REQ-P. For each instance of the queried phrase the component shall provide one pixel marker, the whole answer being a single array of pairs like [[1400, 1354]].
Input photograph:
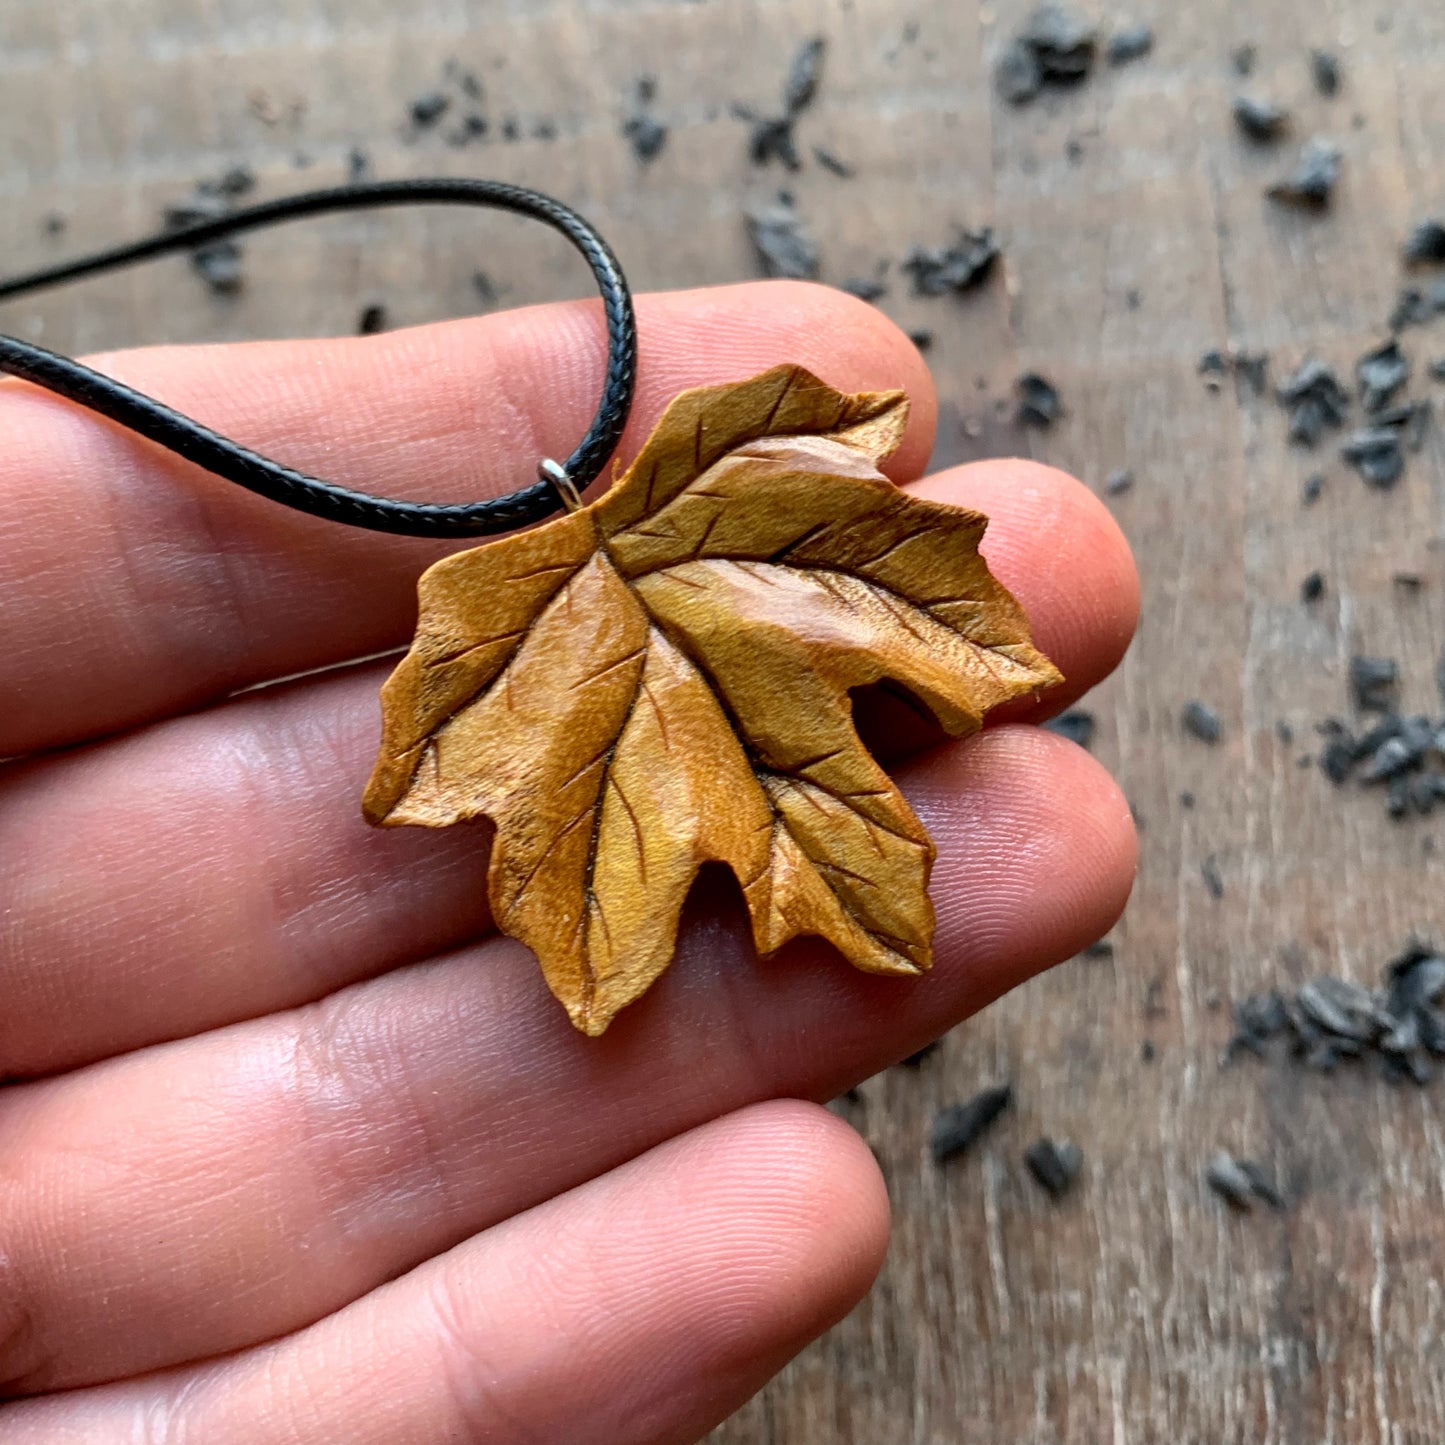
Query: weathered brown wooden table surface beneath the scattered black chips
[[1136, 238]]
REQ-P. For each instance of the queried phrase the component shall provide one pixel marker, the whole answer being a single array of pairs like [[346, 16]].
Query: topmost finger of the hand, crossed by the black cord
[[135, 586]]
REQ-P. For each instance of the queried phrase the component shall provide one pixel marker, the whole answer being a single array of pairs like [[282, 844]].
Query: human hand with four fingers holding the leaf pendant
[[297, 1151]]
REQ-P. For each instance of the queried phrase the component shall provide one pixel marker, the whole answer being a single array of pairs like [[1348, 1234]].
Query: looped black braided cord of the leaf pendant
[[296, 489]]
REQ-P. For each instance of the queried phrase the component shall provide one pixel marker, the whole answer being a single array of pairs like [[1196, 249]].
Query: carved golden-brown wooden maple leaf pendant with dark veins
[[663, 678]]
